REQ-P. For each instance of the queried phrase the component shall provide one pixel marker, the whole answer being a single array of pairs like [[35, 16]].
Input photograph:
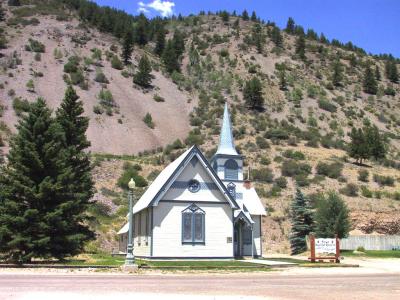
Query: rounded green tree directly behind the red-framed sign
[[332, 217]]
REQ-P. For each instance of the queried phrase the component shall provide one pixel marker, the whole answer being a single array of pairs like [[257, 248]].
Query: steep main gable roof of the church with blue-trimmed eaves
[[161, 184]]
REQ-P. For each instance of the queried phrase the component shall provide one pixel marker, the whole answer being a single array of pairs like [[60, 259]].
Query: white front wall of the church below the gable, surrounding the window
[[167, 231]]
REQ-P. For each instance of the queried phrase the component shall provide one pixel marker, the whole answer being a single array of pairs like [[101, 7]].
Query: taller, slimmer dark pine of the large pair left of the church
[[69, 229]]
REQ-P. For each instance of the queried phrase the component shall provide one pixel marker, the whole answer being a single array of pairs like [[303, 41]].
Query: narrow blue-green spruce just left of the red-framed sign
[[302, 223]]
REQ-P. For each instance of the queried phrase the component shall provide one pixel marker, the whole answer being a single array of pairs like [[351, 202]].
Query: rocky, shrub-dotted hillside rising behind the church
[[311, 103]]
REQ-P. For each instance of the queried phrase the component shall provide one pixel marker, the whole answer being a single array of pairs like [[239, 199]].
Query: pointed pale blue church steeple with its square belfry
[[227, 162]]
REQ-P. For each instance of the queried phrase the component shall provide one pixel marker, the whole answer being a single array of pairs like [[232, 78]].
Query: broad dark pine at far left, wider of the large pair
[[30, 186]]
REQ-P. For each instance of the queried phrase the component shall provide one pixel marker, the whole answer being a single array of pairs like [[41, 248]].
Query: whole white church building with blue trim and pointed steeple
[[199, 209]]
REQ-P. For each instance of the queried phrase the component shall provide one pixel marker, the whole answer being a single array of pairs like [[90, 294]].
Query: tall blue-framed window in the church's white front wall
[[193, 225]]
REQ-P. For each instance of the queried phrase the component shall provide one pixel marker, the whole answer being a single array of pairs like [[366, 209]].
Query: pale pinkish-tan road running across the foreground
[[239, 286]]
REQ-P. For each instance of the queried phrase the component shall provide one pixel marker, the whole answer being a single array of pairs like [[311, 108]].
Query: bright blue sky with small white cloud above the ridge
[[370, 24]]
